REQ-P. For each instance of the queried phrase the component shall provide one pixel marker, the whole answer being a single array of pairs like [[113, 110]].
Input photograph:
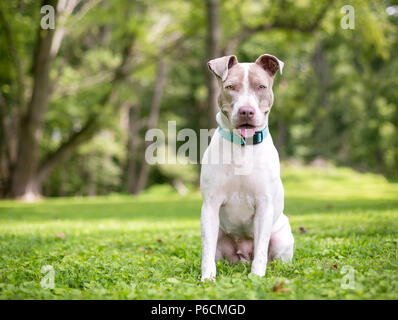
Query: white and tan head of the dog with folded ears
[[246, 95]]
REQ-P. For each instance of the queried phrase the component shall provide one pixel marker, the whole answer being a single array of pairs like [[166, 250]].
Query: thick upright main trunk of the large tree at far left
[[24, 182]]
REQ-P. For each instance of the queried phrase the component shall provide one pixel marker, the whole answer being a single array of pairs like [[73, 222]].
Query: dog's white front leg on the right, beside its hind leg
[[262, 225]]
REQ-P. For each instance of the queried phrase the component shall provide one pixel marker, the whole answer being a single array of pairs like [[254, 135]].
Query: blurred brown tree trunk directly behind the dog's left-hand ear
[[213, 51]]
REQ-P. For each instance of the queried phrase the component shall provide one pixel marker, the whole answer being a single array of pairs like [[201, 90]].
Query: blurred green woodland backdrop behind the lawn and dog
[[76, 101]]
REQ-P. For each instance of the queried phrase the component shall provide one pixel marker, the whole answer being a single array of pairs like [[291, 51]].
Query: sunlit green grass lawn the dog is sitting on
[[148, 247]]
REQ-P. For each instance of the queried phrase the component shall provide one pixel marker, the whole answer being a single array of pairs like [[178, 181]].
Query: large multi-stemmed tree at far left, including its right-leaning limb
[[27, 172]]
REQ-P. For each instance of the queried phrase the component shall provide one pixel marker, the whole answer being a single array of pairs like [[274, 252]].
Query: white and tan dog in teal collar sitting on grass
[[242, 213]]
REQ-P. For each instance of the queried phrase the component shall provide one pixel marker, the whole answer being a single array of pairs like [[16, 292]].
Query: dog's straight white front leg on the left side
[[209, 224]]
